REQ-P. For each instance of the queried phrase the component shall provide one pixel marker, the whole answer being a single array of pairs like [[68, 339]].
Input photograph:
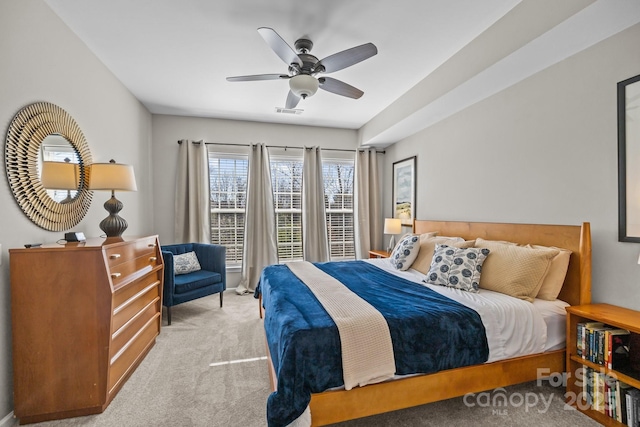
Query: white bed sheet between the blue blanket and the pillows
[[514, 327]]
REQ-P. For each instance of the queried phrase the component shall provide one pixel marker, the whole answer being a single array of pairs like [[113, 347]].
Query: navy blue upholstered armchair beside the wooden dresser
[[211, 279]]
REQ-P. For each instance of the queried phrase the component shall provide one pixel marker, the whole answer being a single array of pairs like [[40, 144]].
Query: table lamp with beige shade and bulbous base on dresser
[[112, 176]]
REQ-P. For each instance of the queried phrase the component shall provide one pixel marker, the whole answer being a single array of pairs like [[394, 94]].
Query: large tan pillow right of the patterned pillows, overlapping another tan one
[[514, 270]]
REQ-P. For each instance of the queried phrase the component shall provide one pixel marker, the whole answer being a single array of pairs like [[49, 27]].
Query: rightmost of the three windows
[[338, 195]]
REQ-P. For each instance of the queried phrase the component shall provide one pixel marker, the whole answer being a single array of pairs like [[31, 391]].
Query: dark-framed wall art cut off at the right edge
[[629, 160]]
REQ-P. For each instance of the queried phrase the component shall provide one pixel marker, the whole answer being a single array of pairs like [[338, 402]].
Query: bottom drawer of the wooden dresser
[[129, 354]]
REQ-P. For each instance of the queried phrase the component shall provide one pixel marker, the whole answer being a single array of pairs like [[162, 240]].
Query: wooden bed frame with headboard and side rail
[[341, 405]]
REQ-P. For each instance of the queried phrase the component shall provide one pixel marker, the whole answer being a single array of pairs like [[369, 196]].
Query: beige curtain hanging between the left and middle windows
[[260, 247]]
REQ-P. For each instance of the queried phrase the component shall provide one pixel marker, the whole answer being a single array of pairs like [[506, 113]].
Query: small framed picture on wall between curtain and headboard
[[404, 190]]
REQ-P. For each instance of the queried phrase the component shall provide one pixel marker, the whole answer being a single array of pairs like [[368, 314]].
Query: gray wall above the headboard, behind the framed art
[[541, 151]]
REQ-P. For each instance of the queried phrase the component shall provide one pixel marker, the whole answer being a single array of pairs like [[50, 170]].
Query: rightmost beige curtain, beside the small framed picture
[[367, 208]]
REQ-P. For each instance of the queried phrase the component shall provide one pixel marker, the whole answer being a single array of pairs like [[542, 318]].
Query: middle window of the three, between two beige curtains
[[286, 178]]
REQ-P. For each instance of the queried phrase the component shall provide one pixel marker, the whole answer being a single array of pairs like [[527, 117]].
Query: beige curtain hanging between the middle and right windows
[[315, 242]]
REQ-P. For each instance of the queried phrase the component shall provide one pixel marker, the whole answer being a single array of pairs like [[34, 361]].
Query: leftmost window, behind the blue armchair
[[228, 186]]
